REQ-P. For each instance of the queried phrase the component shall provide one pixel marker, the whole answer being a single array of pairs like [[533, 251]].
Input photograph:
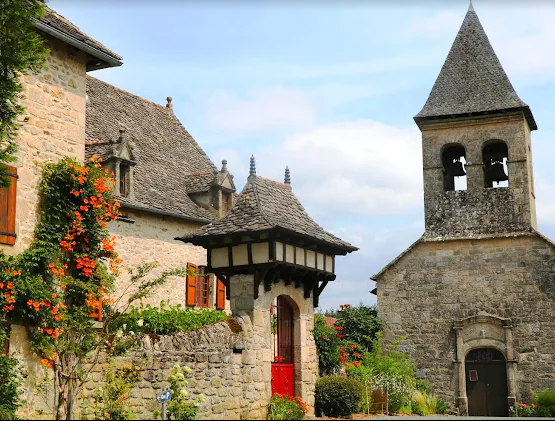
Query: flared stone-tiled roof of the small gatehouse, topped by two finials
[[265, 205]]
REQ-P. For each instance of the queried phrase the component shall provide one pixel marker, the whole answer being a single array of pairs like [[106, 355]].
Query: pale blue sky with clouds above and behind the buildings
[[330, 89]]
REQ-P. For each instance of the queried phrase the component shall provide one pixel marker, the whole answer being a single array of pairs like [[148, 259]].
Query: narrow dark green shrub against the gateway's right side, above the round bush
[[327, 346]]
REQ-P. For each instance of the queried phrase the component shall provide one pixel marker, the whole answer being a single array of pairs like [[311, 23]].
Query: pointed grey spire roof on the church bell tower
[[472, 80]]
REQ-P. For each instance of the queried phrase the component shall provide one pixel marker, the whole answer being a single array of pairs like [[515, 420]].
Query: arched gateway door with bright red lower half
[[283, 366]]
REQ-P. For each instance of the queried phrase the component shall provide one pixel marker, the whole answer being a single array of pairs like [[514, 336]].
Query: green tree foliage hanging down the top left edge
[[21, 51]]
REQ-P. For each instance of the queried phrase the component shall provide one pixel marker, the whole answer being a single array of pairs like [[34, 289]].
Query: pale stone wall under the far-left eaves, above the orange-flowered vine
[[55, 107]]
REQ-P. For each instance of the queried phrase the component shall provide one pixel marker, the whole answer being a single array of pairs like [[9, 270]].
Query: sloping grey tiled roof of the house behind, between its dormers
[[164, 151]]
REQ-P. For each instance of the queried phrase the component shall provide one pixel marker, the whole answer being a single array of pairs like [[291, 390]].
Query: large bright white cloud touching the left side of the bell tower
[[363, 167]]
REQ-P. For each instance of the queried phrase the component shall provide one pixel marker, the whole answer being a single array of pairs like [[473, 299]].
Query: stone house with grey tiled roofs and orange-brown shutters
[[165, 182]]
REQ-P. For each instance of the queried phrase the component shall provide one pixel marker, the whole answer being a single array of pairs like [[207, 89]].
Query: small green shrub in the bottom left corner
[[10, 380]]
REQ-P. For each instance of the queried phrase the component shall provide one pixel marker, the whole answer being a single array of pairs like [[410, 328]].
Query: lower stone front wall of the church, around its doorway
[[429, 289]]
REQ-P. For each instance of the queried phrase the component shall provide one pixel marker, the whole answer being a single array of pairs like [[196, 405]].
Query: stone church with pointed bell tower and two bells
[[474, 297]]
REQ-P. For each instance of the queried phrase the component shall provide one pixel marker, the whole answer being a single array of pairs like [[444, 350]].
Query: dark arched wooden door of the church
[[486, 383]]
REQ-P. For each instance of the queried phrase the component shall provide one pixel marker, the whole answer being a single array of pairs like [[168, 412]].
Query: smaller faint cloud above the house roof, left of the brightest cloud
[[263, 110]]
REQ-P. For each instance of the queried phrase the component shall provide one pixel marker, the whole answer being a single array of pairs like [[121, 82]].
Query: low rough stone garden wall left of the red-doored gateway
[[224, 370]]
